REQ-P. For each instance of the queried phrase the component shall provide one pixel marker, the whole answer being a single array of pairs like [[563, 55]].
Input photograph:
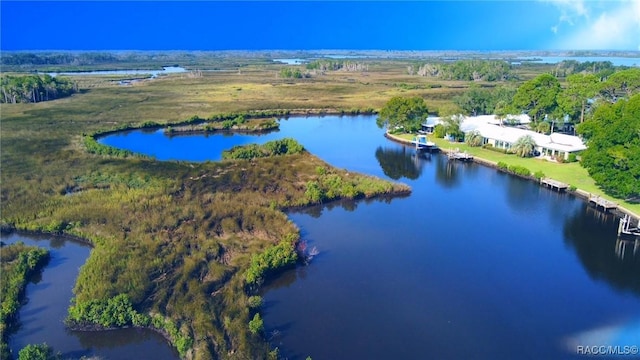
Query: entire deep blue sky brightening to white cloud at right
[[292, 25]]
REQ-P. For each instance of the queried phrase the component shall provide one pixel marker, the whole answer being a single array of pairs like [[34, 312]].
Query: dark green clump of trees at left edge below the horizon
[[34, 88]]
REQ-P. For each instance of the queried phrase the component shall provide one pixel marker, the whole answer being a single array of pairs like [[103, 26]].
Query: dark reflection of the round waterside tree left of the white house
[[397, 163]]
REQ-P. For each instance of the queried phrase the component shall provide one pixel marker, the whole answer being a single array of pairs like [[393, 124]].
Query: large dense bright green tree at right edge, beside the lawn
[[613, 153]]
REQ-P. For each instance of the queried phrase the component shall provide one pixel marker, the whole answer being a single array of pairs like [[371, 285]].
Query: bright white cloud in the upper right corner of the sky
[[597, 25]]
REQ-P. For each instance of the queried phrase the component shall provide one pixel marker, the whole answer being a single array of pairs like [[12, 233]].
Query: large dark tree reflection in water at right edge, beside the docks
[[593, 236]]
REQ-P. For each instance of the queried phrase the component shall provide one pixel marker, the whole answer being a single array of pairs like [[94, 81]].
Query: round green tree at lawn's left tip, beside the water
[[403, 113]]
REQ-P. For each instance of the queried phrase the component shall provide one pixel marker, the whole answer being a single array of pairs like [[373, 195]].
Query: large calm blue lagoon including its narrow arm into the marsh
[[474, 264]]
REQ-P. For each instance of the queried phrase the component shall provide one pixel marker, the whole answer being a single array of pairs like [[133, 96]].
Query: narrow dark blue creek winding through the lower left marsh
[[48, 296]]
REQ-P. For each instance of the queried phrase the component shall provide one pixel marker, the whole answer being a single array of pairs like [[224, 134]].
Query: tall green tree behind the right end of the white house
[[580, 88]]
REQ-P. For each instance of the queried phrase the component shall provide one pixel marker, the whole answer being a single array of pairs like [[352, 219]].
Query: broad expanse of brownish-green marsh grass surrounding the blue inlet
[[177, 237]]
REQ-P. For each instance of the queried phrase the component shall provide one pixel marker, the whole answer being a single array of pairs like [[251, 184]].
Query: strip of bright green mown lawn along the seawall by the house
[[570, 173]]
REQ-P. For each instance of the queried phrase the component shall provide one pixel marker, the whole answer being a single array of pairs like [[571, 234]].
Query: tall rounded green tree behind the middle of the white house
[[537, 97]]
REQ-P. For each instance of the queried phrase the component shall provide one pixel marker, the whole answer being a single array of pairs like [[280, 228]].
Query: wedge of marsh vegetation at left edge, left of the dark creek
[[18, 263]]
